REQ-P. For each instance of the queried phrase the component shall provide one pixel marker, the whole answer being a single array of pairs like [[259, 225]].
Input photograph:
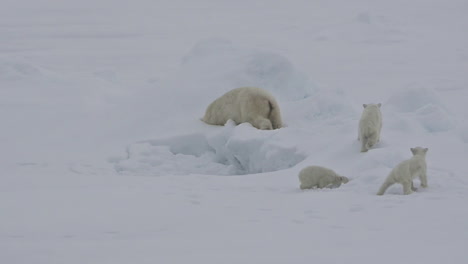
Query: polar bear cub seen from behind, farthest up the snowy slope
[[370, 126]]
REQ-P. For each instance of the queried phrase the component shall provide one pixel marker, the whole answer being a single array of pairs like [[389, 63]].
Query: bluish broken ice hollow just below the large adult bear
[[232, 150]]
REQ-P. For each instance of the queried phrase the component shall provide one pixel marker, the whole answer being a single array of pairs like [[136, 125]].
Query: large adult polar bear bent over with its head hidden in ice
[[246, 104]]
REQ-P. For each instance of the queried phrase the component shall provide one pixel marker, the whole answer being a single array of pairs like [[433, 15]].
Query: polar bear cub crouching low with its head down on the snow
[[320, 177]]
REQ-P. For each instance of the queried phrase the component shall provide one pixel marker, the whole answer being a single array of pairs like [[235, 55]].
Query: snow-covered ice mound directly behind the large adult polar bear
[[216, 66]]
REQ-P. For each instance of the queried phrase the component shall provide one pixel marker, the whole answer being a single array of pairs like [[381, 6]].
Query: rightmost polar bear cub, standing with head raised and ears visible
[[406, 171]]
